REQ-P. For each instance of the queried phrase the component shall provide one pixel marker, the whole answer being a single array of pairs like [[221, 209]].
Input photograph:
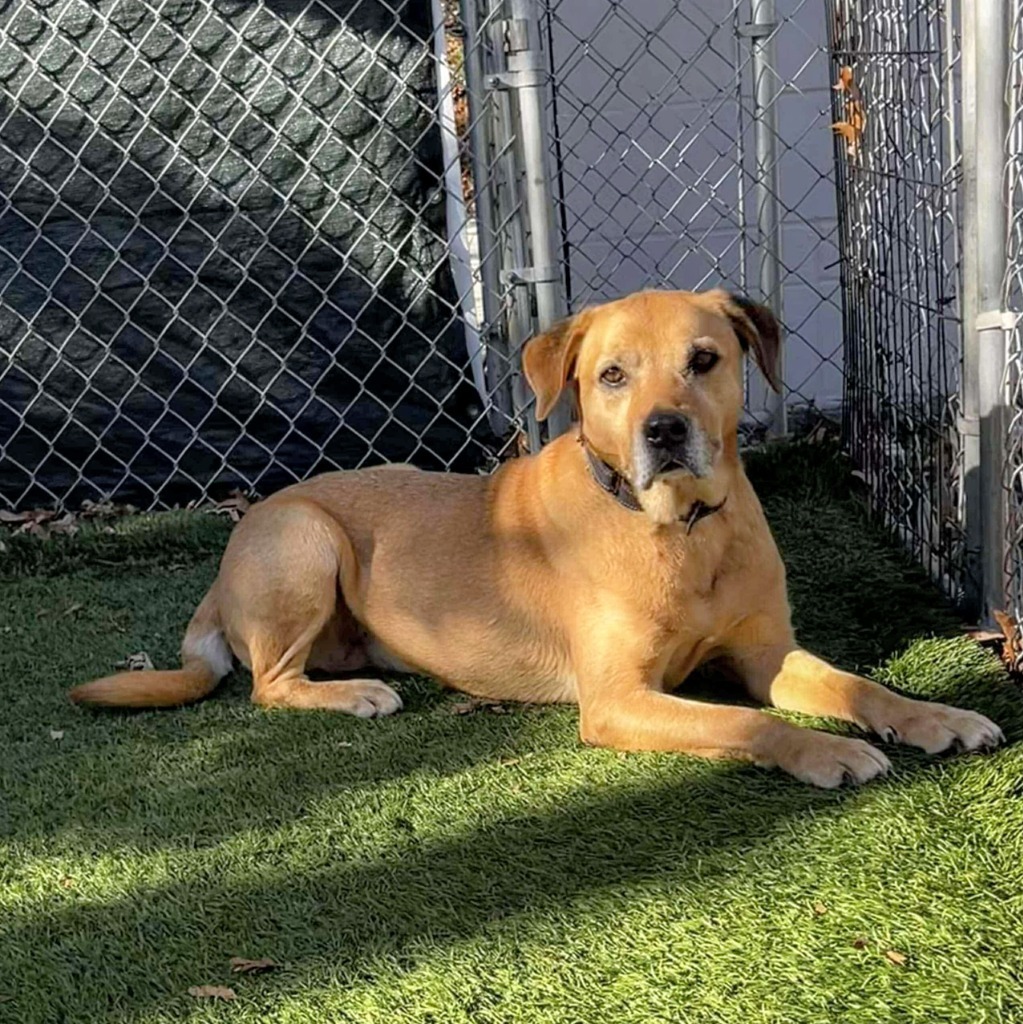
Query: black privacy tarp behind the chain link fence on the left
[[223, 257]]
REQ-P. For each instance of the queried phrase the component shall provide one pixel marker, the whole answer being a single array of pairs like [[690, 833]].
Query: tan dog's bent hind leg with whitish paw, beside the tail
[[281, 585]]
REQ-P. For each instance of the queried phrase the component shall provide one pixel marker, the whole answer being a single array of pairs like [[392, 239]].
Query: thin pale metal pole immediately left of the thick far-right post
[[969, 387]]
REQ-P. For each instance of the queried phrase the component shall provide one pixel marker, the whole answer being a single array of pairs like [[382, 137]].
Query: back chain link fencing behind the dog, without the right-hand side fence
[[236, 250]]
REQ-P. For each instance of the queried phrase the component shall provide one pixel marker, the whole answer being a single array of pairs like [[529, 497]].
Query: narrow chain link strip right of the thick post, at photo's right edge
[[1014, 304]]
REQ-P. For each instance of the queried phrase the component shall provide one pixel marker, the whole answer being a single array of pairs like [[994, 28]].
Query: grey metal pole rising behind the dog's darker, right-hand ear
[[765, 110]]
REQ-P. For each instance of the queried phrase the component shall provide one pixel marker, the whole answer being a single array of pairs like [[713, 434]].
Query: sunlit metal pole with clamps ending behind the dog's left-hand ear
[[526, 65]]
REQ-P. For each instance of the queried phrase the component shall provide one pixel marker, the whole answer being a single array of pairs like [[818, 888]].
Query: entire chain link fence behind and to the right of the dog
[[242, 243]]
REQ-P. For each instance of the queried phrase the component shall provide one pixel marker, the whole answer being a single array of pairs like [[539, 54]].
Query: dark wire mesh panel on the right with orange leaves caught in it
[[896, 63]]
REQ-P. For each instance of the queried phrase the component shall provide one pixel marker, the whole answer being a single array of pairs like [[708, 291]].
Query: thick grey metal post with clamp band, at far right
[[991, 25]]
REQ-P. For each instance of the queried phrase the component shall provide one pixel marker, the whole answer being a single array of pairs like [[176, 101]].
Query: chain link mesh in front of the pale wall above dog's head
[[656, 150]]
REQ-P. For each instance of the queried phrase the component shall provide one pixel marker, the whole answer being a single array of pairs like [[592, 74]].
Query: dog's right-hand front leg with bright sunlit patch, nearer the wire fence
[[785, 676]]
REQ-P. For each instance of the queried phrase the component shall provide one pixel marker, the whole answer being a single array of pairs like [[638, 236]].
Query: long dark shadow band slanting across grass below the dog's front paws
[[123, 958]]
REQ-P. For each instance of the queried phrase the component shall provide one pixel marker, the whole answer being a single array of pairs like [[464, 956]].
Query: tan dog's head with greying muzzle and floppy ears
[[659, 383]]
